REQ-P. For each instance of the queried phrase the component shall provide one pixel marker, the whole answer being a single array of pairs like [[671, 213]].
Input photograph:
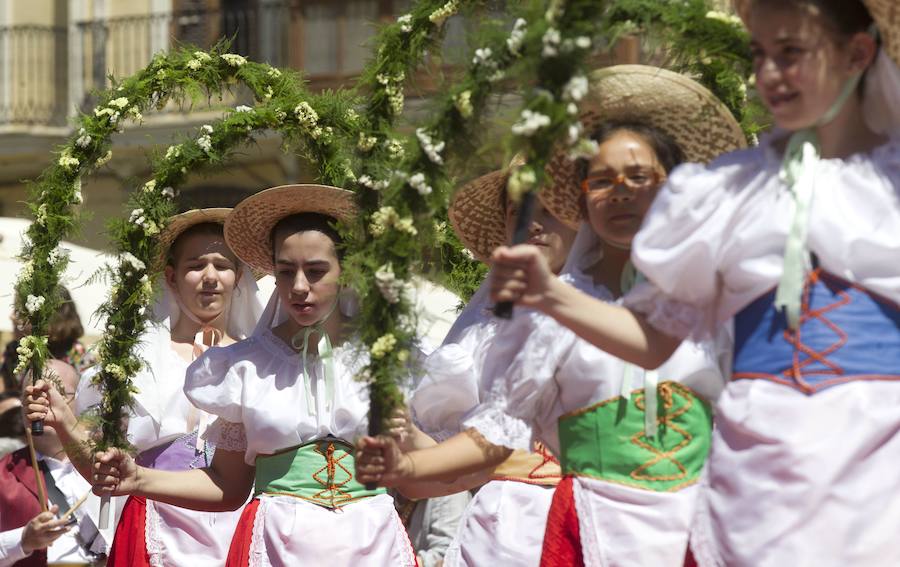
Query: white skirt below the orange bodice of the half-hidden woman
[[502, 526]]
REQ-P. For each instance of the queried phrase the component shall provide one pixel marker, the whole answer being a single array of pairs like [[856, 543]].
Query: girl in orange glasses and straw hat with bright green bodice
[[632, 444]]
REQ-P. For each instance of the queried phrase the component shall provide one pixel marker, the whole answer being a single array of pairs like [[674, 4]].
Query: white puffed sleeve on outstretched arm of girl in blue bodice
[[680, 246]]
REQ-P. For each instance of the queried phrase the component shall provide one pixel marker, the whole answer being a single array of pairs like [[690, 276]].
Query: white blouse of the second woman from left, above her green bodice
[[258, 383]]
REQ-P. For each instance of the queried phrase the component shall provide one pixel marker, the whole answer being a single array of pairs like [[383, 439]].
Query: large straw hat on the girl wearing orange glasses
[[700, 124]]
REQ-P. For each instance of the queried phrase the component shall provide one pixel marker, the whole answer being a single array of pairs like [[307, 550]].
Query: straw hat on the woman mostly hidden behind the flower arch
[[478, 212]]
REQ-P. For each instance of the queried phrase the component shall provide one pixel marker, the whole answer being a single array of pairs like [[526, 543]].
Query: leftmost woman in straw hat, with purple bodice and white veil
[[208, 298]]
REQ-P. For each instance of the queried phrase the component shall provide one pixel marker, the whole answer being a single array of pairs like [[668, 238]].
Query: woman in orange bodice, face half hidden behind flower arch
[[505, 521]]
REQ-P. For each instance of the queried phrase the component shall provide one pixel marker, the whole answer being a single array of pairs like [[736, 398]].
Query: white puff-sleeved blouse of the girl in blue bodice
[[713, 241]]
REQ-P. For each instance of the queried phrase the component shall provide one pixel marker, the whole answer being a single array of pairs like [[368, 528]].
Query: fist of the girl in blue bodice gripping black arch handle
[[520, 274]]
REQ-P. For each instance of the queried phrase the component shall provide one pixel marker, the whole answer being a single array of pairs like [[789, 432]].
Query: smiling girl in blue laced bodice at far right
[[797, 241]]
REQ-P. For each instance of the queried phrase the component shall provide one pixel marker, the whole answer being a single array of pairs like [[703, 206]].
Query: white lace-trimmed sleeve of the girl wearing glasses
[[522, 392]]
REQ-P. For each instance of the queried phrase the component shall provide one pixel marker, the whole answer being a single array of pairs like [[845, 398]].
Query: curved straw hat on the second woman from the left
[[248, 229]]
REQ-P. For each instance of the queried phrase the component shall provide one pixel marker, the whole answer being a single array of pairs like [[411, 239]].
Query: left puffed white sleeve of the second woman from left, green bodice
[[214, 383]]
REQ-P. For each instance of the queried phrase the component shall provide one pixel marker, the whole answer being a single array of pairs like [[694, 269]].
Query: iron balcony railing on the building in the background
[[48, 72]]
